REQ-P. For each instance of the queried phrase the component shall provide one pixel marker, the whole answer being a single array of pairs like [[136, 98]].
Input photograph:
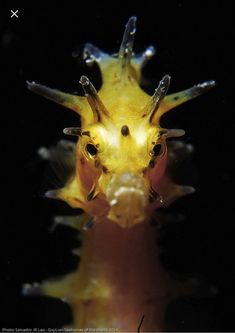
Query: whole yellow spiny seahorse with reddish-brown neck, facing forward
[[120, 177]]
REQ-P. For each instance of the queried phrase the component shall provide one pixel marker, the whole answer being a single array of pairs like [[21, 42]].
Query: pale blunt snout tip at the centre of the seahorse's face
[[127, 197]]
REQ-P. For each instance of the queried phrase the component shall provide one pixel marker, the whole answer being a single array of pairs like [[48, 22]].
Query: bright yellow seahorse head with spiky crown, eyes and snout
[[121, 153]]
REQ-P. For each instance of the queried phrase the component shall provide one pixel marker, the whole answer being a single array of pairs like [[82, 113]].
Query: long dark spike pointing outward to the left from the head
[[68, 100]]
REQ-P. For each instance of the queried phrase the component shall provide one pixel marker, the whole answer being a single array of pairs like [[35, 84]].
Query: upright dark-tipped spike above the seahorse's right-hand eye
[[158, 96]]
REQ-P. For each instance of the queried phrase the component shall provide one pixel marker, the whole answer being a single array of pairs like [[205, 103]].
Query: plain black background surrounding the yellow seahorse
[[194, 43]]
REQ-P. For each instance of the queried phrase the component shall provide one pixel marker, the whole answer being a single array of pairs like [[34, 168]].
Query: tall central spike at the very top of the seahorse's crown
[[125, 52]]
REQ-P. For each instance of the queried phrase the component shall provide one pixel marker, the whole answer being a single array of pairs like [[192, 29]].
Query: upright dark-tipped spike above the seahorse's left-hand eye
[[96, 104]]
